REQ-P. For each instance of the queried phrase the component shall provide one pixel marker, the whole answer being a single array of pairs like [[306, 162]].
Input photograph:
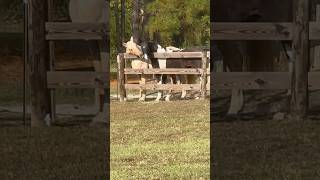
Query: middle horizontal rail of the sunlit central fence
[[163, 71]]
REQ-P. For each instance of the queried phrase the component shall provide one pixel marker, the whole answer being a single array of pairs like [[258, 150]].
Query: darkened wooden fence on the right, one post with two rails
[[300, 32]]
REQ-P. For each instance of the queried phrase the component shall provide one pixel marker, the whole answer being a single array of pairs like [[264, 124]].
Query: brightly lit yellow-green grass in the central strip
[[160, 141]]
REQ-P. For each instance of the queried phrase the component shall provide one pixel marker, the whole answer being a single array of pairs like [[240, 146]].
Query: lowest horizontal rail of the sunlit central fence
[[175, 87]]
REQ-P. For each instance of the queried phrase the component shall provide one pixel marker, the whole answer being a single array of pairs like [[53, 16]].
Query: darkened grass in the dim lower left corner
[[69, 153]]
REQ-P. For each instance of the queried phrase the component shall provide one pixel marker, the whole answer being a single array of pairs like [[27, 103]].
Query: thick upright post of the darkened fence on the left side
[[38, 62]]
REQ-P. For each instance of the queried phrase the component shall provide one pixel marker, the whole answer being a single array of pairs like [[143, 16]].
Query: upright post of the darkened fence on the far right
[[300, 45]]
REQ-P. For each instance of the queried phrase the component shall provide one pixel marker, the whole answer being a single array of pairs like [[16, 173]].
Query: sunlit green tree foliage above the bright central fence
[[180, 22]]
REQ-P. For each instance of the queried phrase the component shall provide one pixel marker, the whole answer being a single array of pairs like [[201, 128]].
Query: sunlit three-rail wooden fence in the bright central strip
[[203, 72]]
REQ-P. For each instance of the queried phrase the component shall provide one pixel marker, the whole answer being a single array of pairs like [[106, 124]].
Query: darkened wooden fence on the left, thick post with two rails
[[42, 33]]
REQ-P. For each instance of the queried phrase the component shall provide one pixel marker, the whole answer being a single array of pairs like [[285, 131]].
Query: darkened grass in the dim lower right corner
[[266, 149]]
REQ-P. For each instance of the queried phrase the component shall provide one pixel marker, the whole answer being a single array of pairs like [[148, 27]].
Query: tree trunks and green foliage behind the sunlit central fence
[[178, 23]]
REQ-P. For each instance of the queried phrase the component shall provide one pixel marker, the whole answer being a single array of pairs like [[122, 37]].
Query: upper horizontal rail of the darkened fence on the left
[[76, 31]]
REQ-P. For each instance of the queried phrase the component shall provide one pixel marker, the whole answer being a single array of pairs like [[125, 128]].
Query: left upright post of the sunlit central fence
[[121, 77]]
